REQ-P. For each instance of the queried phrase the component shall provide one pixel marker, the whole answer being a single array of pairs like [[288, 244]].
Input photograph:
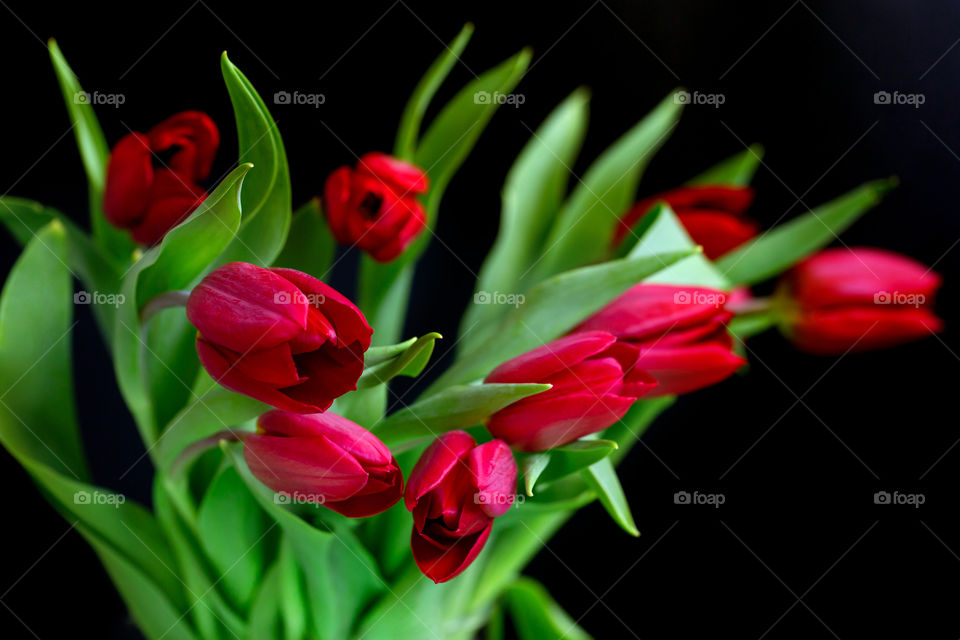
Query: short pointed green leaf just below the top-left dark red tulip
[[190, 248]]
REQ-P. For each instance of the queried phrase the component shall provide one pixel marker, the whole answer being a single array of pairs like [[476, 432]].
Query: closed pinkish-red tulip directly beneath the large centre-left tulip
[[323, 458]]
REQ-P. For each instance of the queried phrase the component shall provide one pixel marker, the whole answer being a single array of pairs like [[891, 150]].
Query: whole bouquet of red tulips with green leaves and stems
[[288, 501]]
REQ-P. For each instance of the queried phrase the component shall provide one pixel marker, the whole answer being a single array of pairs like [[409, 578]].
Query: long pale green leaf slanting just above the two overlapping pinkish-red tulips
[[551, 309]]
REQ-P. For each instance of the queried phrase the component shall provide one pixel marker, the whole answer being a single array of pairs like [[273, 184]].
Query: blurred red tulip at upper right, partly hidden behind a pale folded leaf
[[711, 214]]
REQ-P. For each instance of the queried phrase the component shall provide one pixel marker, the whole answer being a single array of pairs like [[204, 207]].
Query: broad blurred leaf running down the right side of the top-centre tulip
[[384, 289]]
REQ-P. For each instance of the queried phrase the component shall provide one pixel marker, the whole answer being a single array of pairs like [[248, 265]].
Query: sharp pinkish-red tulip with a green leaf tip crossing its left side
[[594, 378]]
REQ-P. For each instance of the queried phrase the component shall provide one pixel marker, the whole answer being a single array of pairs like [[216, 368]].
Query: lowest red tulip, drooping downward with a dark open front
[[455, 491]]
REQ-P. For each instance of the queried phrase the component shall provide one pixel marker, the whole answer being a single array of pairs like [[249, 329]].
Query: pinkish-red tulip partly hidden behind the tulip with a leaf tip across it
[[678, 333]]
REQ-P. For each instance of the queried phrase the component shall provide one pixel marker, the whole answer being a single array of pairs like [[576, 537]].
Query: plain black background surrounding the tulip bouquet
[[797, 447]]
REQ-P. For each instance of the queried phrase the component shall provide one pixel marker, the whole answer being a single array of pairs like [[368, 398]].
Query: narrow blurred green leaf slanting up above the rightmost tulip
[[784, 245]]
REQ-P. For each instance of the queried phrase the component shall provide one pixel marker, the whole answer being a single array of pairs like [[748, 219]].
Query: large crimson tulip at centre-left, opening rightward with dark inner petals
[[278, 335]]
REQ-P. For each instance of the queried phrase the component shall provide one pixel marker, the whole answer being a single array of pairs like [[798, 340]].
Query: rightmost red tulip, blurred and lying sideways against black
[[858, 299]]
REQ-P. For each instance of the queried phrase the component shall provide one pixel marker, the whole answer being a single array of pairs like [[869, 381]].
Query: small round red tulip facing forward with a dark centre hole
[[374, 205]]
